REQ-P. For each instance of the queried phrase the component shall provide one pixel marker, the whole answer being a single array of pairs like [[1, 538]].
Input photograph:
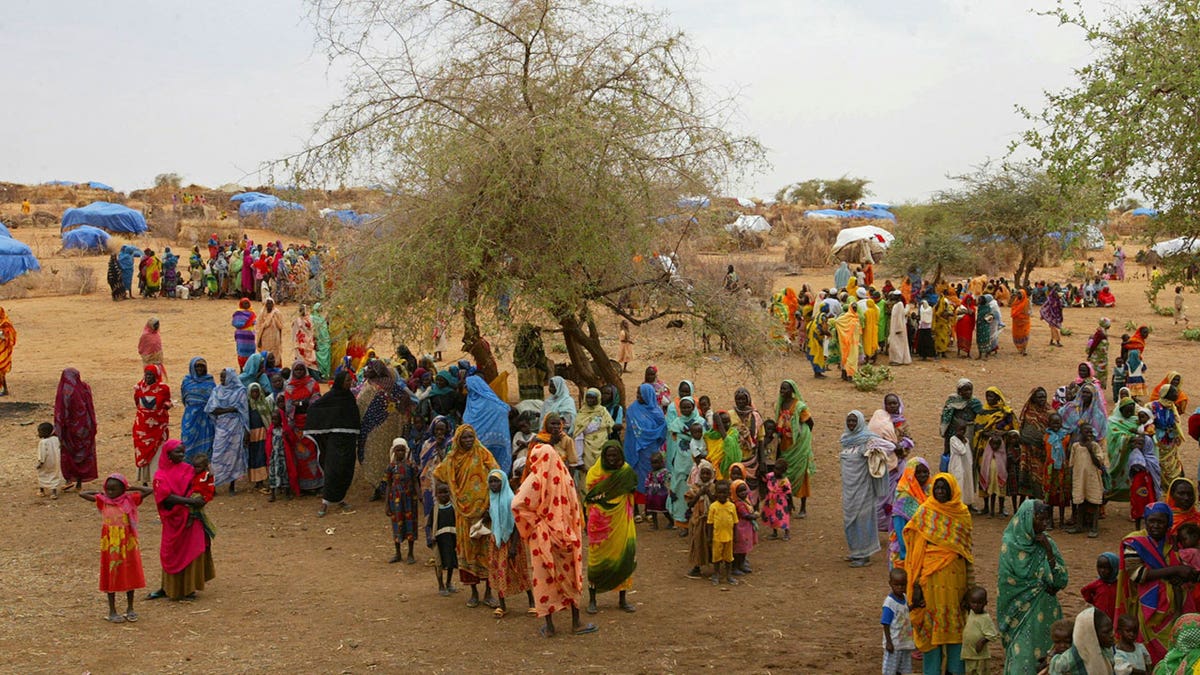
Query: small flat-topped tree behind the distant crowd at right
[[1019, 205]]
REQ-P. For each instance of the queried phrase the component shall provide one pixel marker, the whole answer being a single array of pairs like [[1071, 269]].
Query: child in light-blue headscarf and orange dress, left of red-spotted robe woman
[[508, 572]]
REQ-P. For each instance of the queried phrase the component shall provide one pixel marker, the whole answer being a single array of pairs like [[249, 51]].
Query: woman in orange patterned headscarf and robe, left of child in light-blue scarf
[[465, 470]]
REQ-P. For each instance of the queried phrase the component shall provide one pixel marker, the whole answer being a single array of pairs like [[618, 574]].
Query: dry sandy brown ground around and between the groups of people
[[295, 593]]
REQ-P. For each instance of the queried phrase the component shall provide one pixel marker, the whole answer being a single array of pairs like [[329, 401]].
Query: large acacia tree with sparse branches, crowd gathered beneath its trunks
[[532, 146]]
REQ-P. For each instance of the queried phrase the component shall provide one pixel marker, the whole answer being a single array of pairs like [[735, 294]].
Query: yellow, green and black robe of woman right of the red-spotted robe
[[613, 539]]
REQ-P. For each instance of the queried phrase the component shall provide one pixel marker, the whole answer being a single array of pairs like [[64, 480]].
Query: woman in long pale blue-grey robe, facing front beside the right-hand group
[[861, 488]]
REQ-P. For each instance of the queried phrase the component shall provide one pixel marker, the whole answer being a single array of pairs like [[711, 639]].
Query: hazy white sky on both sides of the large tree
[[899, 93]]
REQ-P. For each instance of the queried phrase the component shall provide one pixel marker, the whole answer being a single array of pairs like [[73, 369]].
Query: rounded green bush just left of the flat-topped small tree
[[928, 240]]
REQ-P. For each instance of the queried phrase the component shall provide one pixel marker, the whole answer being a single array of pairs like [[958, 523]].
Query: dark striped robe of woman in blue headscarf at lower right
[[1156, 605]]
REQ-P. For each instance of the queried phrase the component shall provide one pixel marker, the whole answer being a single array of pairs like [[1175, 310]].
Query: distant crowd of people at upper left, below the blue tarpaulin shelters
[[226, 270]]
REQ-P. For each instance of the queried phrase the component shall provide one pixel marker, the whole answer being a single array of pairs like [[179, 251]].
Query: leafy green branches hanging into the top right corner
[[1129, 126]]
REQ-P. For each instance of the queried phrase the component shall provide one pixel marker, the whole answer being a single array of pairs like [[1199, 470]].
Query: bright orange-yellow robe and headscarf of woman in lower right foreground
[[939, 541]]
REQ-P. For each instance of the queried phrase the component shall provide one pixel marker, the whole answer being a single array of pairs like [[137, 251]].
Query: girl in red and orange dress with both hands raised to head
[[121, 558]]
